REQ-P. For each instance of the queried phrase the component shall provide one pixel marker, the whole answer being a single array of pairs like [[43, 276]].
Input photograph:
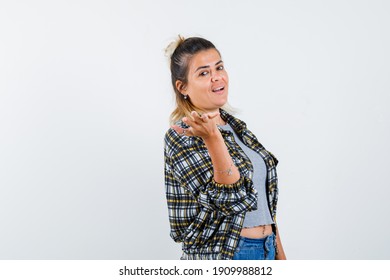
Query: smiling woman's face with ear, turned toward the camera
[[208, 81]]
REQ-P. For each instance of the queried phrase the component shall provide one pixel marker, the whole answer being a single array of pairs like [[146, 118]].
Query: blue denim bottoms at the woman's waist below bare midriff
[[255, 248]]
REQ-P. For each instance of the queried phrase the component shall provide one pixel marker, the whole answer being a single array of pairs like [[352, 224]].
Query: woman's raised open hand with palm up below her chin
[[204, 125]]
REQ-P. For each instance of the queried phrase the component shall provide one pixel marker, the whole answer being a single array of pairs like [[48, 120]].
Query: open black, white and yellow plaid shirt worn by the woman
[[204, 215]]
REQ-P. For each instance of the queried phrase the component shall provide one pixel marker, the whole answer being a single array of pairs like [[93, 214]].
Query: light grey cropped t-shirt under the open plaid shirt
[[262, 215]]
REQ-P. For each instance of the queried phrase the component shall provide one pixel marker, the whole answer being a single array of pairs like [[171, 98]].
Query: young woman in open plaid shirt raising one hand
[[221, 183]]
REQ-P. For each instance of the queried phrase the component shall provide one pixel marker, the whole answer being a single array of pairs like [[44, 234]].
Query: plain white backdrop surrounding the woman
[[85, 97]]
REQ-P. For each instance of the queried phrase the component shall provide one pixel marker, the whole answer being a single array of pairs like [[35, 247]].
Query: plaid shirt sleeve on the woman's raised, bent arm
[[192, 169]]
